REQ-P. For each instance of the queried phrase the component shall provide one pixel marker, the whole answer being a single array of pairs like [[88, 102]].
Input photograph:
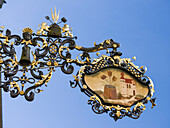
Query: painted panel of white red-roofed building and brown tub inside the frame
[[116, 86]]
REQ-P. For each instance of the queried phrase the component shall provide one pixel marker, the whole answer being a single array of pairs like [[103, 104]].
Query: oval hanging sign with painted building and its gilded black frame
[[115, 85]]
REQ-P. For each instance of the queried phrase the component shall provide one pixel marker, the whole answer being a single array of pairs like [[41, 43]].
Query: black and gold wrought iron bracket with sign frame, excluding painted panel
[[53, 47]]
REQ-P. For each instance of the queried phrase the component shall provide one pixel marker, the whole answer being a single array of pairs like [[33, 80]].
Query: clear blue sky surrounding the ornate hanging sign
[[141, 26]]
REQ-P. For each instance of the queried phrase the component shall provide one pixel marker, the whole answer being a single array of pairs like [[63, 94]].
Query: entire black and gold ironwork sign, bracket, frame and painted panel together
[[114, 85]]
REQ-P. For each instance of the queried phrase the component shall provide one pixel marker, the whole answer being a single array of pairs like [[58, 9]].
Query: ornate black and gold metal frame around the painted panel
[[116, 111]]
